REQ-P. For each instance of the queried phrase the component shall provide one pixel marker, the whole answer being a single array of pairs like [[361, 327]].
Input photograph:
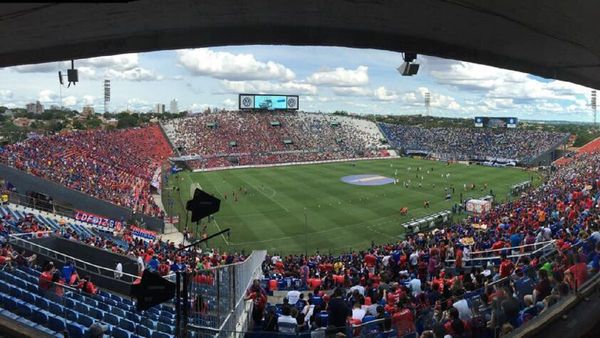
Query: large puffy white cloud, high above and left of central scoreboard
[[233, 67]]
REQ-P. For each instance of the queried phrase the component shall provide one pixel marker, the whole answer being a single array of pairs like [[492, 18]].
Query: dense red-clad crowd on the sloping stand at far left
[[116, 166]]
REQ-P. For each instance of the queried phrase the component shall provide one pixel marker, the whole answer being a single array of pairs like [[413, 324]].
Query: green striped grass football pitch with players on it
[[291, 209]]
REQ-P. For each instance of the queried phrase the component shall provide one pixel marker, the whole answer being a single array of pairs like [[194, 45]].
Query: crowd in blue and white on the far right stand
[[473, 143]]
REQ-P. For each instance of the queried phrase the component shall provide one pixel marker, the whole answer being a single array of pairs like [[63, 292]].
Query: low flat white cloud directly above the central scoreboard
[[266, 87]]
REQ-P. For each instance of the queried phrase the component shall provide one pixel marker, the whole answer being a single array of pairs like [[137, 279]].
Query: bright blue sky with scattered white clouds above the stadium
[[362, 81]]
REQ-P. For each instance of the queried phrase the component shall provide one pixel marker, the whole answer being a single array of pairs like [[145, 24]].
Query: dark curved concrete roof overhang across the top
[[555, 39]]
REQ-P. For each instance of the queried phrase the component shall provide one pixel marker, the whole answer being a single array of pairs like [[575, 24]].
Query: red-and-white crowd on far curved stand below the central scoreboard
[[268, 137]]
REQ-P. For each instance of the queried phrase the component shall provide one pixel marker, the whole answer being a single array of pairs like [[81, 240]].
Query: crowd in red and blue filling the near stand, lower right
[[482, 277]]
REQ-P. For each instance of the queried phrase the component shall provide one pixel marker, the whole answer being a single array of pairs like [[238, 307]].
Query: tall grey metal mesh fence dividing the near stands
[[227, 311]]
